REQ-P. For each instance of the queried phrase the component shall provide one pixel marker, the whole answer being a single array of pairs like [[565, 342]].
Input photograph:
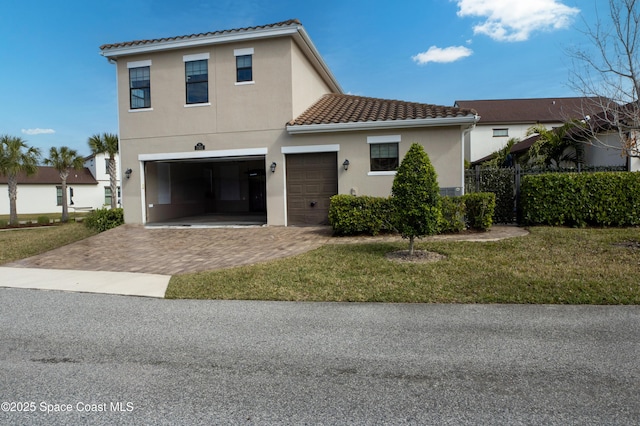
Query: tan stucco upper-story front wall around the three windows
[[233, 106]]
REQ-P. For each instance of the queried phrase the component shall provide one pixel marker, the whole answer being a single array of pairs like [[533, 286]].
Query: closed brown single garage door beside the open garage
[[311, 180]]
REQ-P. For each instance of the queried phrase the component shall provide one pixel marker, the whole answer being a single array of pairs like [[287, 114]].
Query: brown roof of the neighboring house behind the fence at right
[[540, 110]]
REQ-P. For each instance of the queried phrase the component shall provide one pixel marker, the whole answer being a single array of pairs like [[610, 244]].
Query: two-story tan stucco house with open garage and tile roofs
[[251, 123]]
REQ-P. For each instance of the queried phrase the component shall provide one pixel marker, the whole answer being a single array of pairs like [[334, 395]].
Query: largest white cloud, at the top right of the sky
[[509, 20]]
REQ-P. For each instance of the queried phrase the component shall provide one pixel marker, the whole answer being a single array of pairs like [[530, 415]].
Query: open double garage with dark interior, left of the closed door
[[209, 191]]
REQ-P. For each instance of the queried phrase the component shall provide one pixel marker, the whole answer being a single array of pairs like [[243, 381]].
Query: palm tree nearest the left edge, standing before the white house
[[15, 157]]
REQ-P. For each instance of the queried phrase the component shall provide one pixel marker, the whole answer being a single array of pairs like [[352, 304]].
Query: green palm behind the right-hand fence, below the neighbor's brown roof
[[562, 144]]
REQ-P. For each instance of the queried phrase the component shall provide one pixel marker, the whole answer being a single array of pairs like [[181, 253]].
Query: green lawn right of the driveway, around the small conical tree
[[551, 265]]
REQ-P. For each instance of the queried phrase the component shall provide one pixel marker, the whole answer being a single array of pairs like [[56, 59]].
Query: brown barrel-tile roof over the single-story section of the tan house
[[338, 108]]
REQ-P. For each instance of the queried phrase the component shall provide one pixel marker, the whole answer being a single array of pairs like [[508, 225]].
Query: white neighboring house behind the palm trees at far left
[[42, 192]]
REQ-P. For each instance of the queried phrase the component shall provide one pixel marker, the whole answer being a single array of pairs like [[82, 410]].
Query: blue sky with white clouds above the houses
[[56, 89]]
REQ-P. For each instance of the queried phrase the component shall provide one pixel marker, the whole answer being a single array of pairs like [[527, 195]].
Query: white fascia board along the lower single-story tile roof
[[382, 125]]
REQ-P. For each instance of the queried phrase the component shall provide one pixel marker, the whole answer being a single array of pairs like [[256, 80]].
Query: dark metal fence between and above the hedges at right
[[505, 183]]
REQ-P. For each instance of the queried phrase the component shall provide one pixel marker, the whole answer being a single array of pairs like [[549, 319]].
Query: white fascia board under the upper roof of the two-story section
[[198, 41]]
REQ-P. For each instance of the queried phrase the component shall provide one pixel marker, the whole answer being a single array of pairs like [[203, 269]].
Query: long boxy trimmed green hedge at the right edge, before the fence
[[580, 199]]
